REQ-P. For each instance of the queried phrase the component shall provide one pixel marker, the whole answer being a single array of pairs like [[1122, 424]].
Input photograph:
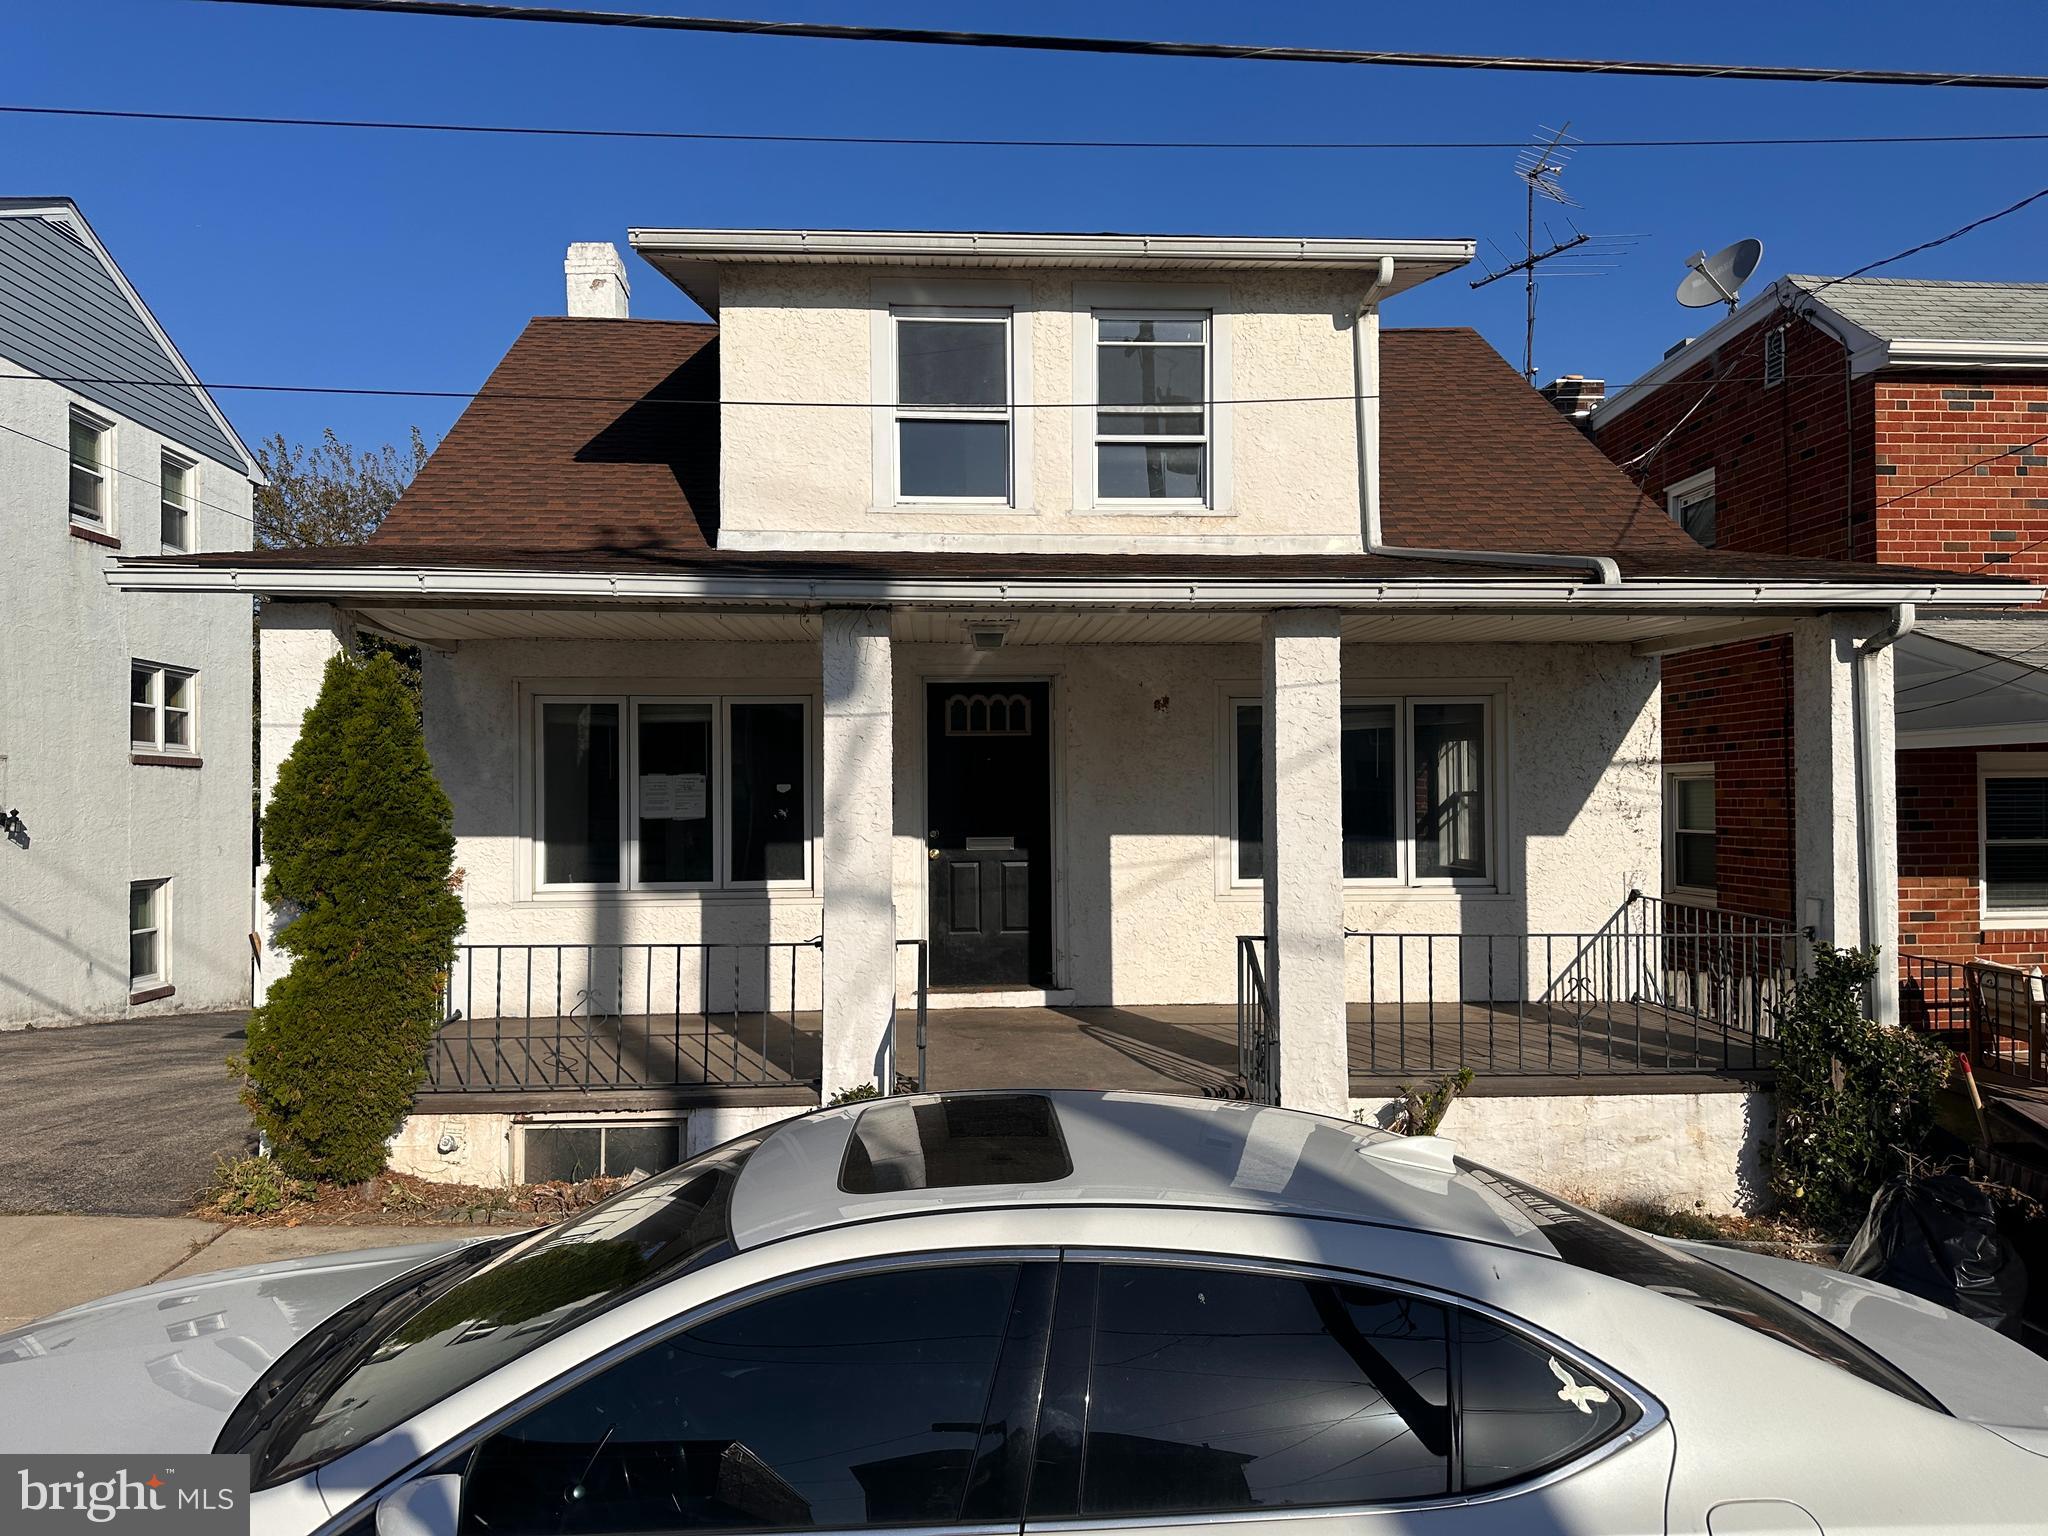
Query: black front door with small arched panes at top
[[990, 841]]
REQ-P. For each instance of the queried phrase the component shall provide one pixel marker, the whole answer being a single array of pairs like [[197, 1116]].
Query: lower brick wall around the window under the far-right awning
[[1938, 904]]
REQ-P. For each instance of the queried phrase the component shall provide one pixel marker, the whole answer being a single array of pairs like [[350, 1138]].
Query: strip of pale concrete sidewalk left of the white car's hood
[[56, 1263]]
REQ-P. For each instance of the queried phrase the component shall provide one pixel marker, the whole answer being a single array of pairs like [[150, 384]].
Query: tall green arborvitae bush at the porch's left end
[[361, 845]]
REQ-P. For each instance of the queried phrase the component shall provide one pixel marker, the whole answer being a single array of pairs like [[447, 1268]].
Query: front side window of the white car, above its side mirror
[[847, 1404]]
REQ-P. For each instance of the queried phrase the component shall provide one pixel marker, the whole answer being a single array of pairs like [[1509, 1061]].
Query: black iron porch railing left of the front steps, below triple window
[[628, 1017]]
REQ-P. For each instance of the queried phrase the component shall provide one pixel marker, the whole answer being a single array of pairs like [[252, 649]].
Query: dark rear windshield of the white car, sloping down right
[[1592, 1242]]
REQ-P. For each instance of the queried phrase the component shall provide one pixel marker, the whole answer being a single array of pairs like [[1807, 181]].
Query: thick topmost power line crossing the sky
[[1154, 48]]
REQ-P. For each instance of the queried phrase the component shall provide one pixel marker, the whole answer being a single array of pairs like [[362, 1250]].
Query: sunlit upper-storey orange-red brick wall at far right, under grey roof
[[1983, 517]]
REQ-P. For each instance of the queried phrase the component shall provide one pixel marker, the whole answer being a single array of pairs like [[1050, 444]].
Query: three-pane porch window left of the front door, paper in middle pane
[[673, 794]]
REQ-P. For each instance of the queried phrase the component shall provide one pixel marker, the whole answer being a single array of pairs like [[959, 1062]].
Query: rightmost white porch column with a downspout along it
[[1844, 769]]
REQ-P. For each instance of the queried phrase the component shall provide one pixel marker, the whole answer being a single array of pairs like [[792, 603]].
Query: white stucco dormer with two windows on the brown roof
[[1037, 392]]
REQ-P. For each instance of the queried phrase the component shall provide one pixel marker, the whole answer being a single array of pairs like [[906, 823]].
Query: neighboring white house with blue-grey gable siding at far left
[[124, 722]]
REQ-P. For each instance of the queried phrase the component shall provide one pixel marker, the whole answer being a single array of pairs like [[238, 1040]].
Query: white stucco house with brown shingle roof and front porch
[[1070, 660]]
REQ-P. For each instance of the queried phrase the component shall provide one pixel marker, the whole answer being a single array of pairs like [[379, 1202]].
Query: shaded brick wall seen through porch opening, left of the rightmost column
[[1732, 708]]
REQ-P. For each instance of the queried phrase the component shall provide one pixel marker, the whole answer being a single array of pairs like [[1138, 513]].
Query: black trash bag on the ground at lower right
[[1938, 1238]]
